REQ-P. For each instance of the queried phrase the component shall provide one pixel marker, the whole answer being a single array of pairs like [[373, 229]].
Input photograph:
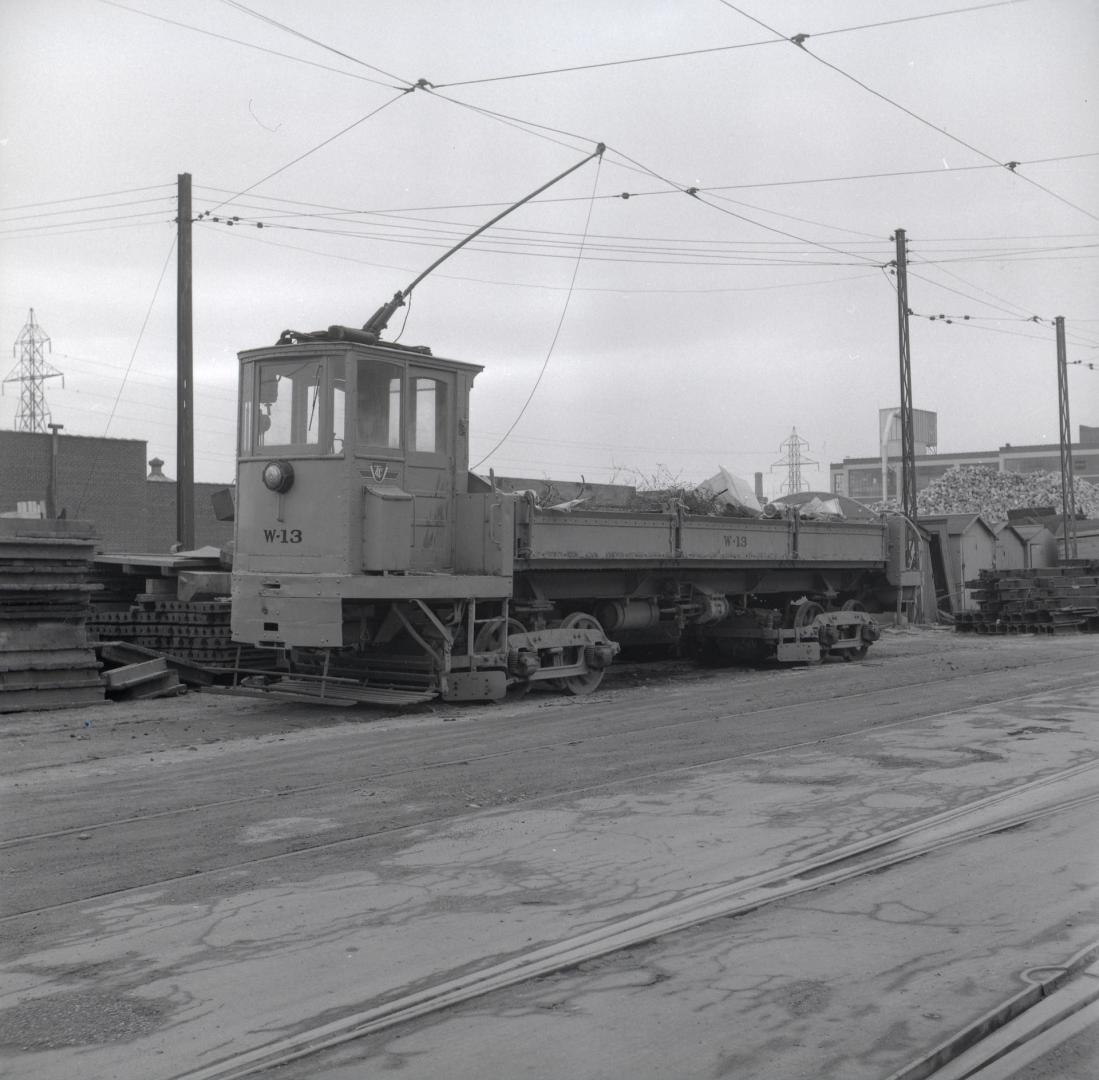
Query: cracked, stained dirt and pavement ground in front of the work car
[[194, 885]]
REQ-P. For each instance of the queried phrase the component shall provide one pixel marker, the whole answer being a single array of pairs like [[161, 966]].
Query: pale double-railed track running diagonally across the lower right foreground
[[995, 815]]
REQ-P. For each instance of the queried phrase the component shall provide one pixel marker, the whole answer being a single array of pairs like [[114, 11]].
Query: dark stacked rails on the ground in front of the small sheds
[[1051, 600]]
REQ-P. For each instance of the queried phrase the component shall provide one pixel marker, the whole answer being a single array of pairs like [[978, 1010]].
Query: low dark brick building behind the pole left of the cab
[[106, 482]]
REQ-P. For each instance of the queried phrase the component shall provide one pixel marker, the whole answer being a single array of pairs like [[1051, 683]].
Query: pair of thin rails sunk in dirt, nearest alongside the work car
[[304, 849]]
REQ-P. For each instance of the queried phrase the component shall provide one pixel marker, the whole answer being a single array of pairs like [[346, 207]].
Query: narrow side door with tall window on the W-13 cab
[[430, 460]]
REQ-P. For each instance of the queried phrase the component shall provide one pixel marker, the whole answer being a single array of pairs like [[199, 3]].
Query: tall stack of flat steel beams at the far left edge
[[46, 659]]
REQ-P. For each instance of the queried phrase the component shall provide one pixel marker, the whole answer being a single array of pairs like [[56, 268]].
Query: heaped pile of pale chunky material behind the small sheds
[[986, 492]]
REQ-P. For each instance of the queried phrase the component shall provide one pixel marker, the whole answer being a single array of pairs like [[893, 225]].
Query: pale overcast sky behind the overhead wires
[[672, 332]]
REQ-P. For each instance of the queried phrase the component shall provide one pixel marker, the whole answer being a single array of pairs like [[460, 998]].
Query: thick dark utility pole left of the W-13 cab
[[185, 366]]
